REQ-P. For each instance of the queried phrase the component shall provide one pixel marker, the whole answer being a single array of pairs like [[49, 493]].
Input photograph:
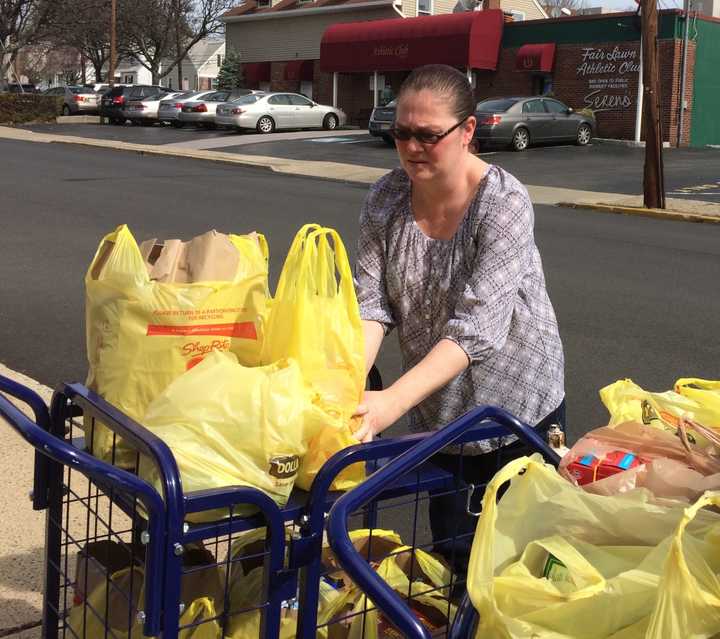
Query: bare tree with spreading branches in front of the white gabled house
[[161, 32]]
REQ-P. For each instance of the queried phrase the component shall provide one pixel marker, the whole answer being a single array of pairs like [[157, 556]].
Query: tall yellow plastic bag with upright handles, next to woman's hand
[[315, 319]]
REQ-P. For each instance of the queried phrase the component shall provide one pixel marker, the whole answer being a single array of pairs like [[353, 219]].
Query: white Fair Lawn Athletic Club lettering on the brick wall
[[611, 73]]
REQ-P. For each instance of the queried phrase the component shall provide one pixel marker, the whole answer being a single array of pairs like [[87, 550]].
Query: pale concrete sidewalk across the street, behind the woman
[[676, 209]]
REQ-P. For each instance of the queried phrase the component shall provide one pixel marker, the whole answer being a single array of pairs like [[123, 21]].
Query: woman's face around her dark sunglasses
[[424, 111]]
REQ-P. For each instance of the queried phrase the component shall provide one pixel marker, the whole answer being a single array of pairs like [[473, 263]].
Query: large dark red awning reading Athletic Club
[[469, 39]]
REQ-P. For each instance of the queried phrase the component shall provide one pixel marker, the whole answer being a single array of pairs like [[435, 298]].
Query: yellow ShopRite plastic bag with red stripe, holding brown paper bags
[[142, 334]]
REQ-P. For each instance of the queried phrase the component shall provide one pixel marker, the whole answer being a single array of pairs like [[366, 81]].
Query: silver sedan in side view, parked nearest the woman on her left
[[267, 112]]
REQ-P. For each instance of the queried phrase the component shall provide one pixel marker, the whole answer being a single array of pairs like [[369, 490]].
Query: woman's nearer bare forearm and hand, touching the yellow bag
[[380, 409]]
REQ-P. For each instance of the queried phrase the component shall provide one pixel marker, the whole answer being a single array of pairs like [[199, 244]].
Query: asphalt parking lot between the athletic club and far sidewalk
[[603, 167]]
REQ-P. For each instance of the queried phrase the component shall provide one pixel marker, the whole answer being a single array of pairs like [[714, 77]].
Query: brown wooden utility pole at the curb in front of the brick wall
[[653, 179]]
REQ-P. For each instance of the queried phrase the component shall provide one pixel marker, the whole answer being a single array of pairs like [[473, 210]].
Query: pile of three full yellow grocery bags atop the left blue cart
[[184, 338]]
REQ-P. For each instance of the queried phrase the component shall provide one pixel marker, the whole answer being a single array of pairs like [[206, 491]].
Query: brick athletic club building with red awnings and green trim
[[589, 61]]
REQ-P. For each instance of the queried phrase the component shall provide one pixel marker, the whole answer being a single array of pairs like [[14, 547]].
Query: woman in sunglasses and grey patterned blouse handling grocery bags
[[447, 256]]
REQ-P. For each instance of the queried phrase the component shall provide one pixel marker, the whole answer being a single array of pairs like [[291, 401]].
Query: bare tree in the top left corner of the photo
[[22, 23]]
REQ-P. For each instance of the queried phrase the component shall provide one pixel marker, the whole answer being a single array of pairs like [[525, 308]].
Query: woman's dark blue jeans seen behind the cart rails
[[452, 527]]
